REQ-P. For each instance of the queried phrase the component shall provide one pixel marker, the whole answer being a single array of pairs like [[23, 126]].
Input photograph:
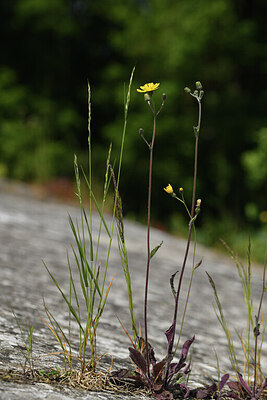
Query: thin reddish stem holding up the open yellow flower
[[151, 147]]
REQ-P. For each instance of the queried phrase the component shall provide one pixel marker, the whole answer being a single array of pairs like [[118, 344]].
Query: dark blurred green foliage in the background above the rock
[[51, 47]]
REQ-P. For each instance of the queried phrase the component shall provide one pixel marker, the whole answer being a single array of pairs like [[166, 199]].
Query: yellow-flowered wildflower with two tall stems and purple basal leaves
[[165, 376]]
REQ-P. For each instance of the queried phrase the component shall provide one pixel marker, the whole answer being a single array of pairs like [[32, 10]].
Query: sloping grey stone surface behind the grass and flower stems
[[32, 231]]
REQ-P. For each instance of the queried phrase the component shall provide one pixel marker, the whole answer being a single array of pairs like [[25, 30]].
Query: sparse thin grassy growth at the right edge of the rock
[[254, 384]]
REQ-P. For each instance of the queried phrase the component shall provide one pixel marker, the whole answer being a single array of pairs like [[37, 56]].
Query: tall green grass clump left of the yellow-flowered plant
[[94, 289]]
